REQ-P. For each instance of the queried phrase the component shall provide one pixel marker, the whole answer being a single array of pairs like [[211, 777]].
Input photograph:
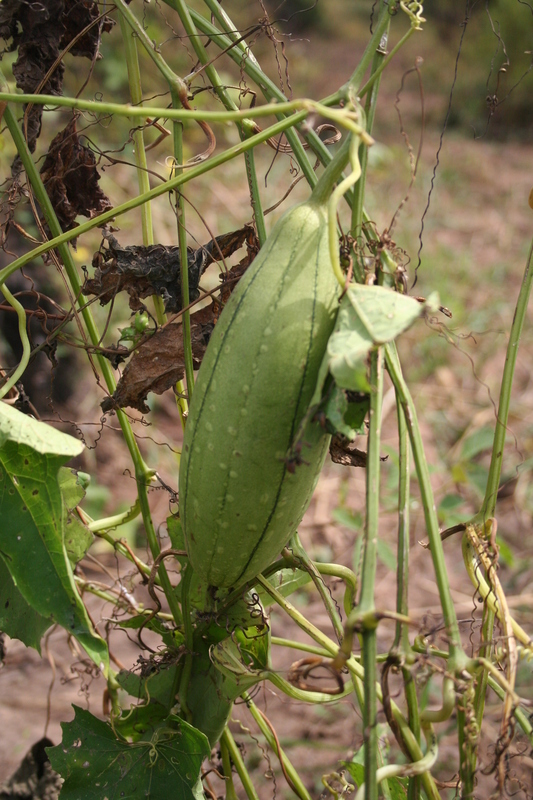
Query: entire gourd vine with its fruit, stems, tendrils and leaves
[[298, 354]]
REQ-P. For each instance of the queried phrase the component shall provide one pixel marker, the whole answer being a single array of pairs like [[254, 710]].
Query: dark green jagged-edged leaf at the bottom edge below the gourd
[[96, 764]]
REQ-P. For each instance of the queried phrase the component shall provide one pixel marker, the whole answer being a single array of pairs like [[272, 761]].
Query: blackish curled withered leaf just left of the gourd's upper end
[[156, 269]]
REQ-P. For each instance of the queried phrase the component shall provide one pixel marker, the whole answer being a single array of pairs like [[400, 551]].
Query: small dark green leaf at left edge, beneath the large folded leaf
[[17, 618]]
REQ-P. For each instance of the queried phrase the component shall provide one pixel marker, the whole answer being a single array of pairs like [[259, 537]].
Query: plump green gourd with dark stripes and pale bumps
[[241, 497]]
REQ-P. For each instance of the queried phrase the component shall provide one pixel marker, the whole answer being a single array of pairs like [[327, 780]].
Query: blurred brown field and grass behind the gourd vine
[[461, 91]]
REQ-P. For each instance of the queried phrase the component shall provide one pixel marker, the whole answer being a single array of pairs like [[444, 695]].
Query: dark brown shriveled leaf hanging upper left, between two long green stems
[[71, 179]]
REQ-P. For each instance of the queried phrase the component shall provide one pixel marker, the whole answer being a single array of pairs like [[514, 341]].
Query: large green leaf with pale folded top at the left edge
[[31, 535]]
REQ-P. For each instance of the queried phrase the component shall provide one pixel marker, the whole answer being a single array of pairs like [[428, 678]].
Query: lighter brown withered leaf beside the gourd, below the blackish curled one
[[158, 364]]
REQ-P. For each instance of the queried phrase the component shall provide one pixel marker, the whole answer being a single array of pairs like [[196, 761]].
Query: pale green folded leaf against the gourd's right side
[[368, 316]]
